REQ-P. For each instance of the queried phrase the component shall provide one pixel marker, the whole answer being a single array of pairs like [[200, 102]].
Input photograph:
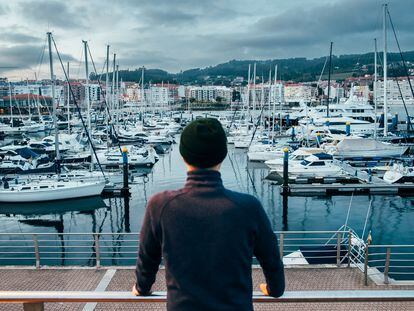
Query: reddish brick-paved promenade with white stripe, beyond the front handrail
[[122, 280]]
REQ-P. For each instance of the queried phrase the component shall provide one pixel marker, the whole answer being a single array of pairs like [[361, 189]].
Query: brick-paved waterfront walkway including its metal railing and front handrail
[[344, 278]]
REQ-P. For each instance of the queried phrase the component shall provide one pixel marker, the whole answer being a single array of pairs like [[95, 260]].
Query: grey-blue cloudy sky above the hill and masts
[[180, 34]]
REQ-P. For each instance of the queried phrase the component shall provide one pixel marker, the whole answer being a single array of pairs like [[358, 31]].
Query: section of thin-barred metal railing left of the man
[[53, 249]]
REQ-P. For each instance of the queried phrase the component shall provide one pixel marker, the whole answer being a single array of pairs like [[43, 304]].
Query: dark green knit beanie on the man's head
[[203, 143]]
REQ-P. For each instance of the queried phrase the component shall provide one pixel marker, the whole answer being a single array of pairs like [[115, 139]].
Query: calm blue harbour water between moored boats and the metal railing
[[391, 219]]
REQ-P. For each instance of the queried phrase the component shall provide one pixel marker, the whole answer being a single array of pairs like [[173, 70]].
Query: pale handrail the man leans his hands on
[[35, 297]]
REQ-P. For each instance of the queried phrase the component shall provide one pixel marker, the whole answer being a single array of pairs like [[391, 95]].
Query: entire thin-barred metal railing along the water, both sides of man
[[340, 248]]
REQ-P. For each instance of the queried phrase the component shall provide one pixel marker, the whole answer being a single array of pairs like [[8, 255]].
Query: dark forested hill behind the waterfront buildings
[[295, 69]]
